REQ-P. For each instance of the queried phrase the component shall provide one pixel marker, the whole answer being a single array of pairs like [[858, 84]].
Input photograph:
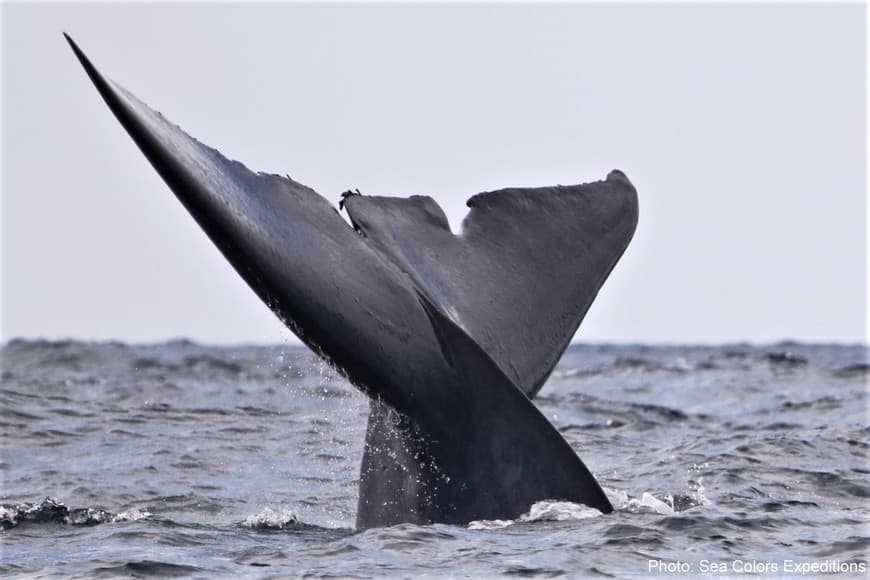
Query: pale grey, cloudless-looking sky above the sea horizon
[[742, 126]]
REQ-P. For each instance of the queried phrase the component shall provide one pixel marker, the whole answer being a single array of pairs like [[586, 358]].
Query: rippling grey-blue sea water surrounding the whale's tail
[[183, 460]]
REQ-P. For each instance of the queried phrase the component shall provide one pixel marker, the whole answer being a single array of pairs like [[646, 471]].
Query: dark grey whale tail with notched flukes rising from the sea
[[452, 332]]
